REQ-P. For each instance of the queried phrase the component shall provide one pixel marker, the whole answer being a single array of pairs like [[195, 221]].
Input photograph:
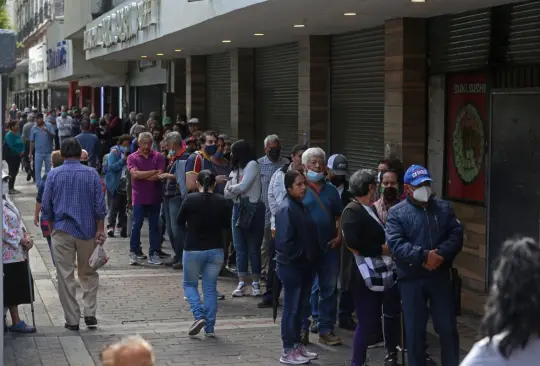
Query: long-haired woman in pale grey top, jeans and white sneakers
[[244, 188]]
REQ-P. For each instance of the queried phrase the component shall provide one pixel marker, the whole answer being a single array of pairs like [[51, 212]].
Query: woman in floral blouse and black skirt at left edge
[[18, 287]]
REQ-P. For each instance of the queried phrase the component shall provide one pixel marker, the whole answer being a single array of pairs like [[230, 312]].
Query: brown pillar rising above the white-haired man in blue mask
[[314, 91]]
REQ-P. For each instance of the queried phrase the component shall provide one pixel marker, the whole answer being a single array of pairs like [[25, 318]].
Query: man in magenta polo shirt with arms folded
[[145, 165]]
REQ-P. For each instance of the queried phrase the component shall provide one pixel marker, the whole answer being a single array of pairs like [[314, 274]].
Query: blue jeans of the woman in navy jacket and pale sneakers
[[296, 291]]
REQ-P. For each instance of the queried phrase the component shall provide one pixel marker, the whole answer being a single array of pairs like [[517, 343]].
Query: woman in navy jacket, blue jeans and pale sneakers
[[296, 253]]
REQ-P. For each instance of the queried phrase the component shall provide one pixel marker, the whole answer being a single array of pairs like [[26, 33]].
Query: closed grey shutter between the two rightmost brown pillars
[[357, 104]]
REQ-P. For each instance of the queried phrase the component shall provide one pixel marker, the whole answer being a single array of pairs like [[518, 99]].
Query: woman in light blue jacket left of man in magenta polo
[[116, 184]]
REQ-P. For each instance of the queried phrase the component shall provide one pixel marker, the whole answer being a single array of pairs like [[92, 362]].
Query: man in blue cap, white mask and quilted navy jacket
[[424, 236]]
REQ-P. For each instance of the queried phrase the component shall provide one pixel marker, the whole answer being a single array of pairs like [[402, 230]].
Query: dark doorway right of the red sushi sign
[[514, 192]]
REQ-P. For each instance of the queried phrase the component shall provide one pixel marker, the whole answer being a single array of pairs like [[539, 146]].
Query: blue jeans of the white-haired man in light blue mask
[[324, 296]]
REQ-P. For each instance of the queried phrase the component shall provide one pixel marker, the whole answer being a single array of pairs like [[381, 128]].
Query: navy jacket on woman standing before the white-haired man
[[296, 235]]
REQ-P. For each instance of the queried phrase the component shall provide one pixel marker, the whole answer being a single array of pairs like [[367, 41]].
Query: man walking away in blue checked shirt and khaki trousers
[[76, 230]]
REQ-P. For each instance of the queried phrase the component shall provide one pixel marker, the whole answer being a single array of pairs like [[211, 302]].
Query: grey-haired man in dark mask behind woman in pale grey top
[[269, 164]]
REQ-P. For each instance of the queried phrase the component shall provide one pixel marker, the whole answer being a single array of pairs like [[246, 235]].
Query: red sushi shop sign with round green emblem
[[467, 121]]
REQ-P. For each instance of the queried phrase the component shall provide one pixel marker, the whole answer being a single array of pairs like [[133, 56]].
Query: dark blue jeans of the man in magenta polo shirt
[[139, 212]]
